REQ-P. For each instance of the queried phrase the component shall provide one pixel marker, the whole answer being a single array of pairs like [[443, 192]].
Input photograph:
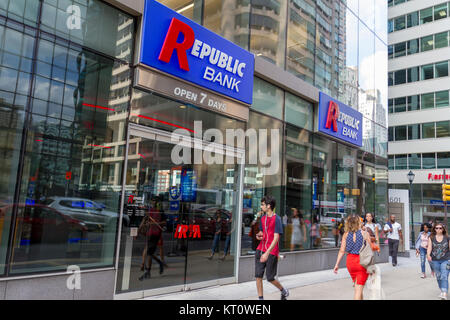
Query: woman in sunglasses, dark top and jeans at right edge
[[438, 254]]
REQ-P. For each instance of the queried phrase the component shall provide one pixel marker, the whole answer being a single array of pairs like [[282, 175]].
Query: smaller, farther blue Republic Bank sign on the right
[[339, 120]]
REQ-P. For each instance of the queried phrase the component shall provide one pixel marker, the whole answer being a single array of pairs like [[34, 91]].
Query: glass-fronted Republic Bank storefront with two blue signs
[[105, 108]]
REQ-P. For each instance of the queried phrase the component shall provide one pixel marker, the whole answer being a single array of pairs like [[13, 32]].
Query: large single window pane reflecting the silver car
[[69, 203]]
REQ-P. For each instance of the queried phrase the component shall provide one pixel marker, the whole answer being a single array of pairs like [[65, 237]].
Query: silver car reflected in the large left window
[[90, 212]]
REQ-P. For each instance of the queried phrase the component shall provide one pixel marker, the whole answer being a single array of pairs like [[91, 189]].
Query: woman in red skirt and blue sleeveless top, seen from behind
[[352, 241]]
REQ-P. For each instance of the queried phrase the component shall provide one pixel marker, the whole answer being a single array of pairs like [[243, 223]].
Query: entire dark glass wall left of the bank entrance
[[64, 96]]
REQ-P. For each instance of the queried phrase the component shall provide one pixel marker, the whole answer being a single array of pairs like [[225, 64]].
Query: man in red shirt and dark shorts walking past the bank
[[266, 257]]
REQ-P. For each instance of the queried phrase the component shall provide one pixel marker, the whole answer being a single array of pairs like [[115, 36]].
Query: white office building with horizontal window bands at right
[[419, 118]]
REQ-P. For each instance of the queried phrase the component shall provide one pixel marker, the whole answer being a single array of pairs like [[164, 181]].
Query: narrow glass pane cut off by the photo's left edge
[[16, 51]]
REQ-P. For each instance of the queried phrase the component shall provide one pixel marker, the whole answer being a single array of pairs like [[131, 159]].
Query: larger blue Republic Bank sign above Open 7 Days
[[178, 46]]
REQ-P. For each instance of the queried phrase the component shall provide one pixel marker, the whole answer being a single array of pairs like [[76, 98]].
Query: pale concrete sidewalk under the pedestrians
[[399, 283]]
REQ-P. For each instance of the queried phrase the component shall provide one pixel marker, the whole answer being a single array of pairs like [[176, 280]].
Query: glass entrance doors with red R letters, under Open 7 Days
[[184, 203]]
